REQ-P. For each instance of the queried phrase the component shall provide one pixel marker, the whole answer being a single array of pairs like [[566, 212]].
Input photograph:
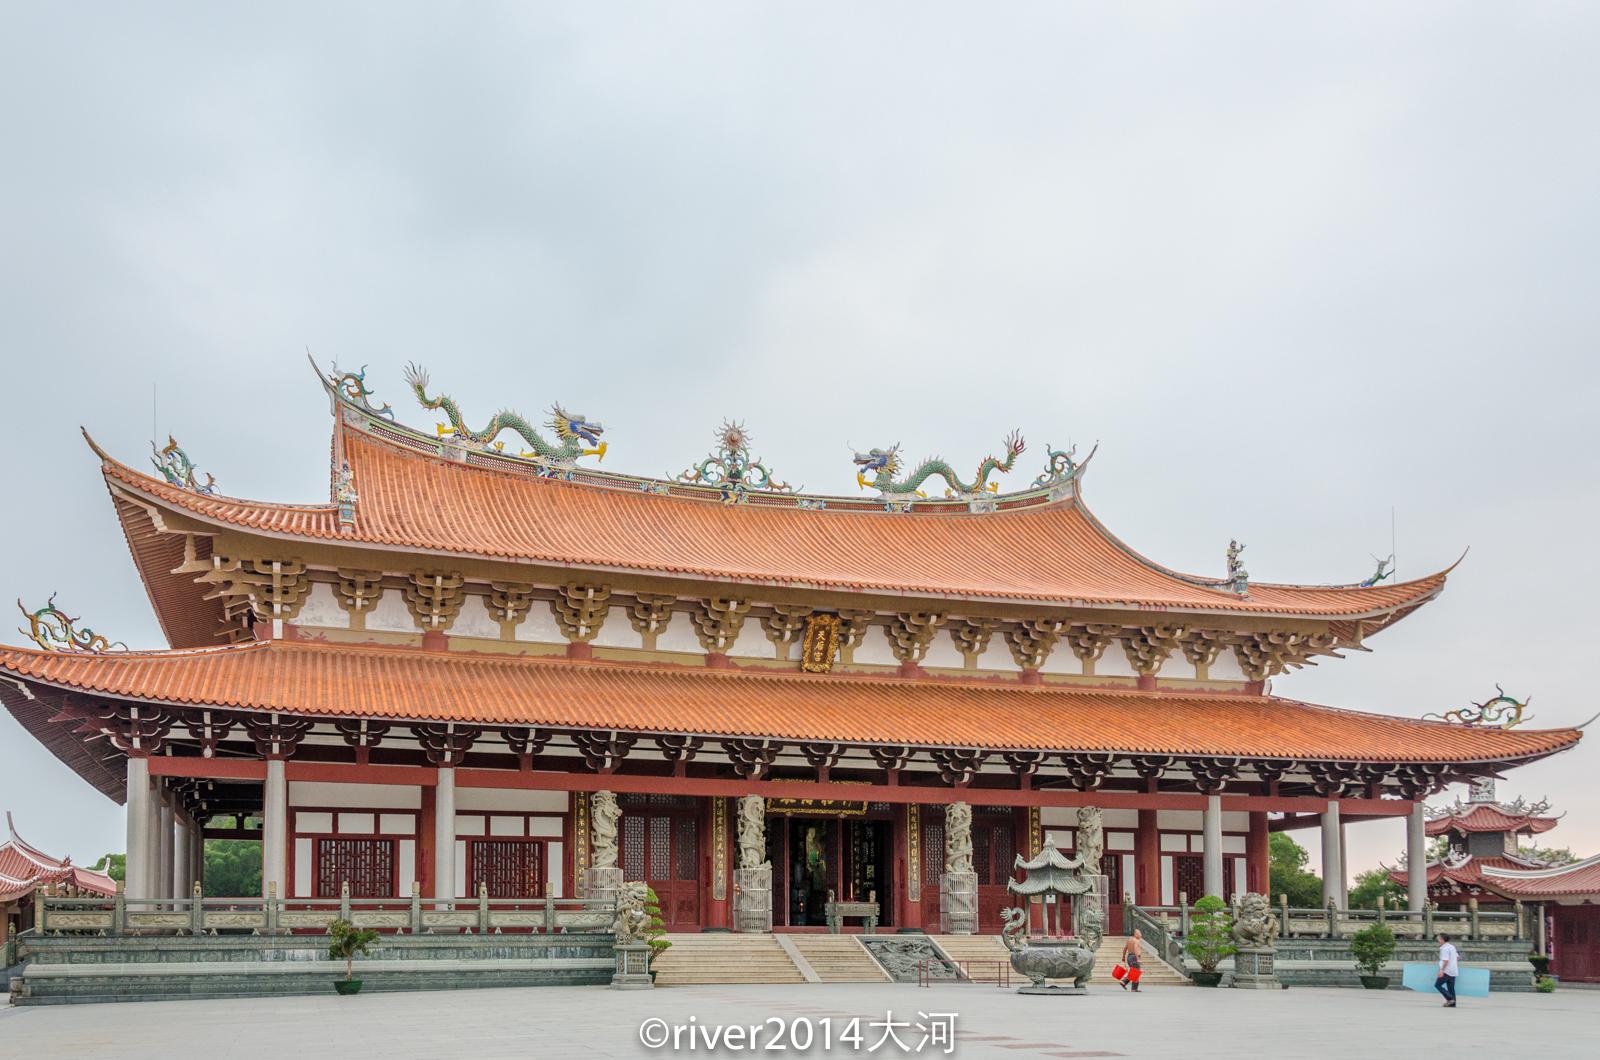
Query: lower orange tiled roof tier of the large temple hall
[[409, 685]]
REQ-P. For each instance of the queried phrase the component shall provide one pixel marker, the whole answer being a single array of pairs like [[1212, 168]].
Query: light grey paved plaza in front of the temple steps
[[591, 1022]]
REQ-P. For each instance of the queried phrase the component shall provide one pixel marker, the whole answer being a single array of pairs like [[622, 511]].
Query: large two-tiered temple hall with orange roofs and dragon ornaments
[[438, 675]]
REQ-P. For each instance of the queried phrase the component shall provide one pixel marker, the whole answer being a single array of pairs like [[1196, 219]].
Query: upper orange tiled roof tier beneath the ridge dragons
[[1047, 553]]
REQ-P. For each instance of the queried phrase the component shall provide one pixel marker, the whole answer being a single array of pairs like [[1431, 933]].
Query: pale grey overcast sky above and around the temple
[[1294, 267]]
